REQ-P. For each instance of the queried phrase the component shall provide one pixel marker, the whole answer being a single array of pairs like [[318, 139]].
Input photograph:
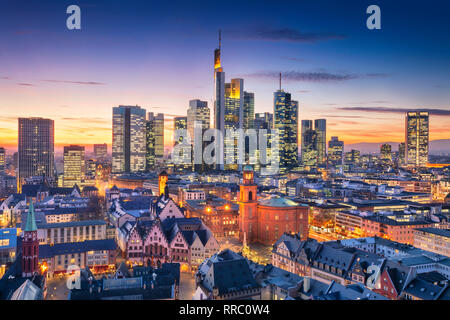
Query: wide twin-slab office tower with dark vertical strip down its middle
[[128, 149]]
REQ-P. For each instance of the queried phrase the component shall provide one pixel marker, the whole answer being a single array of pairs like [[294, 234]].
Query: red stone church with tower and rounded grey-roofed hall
[[264, 221]]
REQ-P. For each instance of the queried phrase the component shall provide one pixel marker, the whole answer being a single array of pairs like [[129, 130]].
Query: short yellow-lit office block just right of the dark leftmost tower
[[74, 166]]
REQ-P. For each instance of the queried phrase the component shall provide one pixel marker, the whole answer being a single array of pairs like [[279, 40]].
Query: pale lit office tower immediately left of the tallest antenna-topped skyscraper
[[198, 121]]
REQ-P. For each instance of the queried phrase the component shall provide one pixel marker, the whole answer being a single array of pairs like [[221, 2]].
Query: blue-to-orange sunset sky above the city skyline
[[159, 55]]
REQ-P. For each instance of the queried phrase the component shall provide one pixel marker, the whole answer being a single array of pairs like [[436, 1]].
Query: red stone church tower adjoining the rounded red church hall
[[248, 207]]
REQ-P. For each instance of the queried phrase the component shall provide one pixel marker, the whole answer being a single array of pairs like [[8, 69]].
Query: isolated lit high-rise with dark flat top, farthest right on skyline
[[416, 132]]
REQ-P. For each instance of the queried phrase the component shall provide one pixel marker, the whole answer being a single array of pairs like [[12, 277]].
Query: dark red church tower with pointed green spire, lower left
[[30, 245]]
